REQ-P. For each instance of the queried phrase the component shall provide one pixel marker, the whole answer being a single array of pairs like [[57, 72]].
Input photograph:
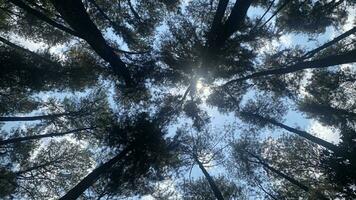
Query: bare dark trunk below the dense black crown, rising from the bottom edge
[[92, 177]]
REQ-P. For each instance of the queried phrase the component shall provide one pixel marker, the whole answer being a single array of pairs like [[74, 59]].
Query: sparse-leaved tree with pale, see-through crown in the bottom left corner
[[47, 174]]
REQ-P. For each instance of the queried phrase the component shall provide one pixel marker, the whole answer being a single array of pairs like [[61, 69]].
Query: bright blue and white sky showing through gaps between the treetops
[[218, 120]]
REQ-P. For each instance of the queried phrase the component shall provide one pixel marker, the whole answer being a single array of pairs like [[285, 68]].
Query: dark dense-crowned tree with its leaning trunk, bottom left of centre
[[142, 150]]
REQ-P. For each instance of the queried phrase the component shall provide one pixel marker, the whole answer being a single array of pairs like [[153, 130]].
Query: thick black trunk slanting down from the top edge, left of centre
[[74, 13]]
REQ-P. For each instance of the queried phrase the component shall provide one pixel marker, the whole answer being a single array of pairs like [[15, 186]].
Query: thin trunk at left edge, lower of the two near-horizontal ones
[[35, 137]]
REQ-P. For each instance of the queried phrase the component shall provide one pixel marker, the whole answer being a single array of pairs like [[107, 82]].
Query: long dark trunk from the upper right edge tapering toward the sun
[[348, 57]]
